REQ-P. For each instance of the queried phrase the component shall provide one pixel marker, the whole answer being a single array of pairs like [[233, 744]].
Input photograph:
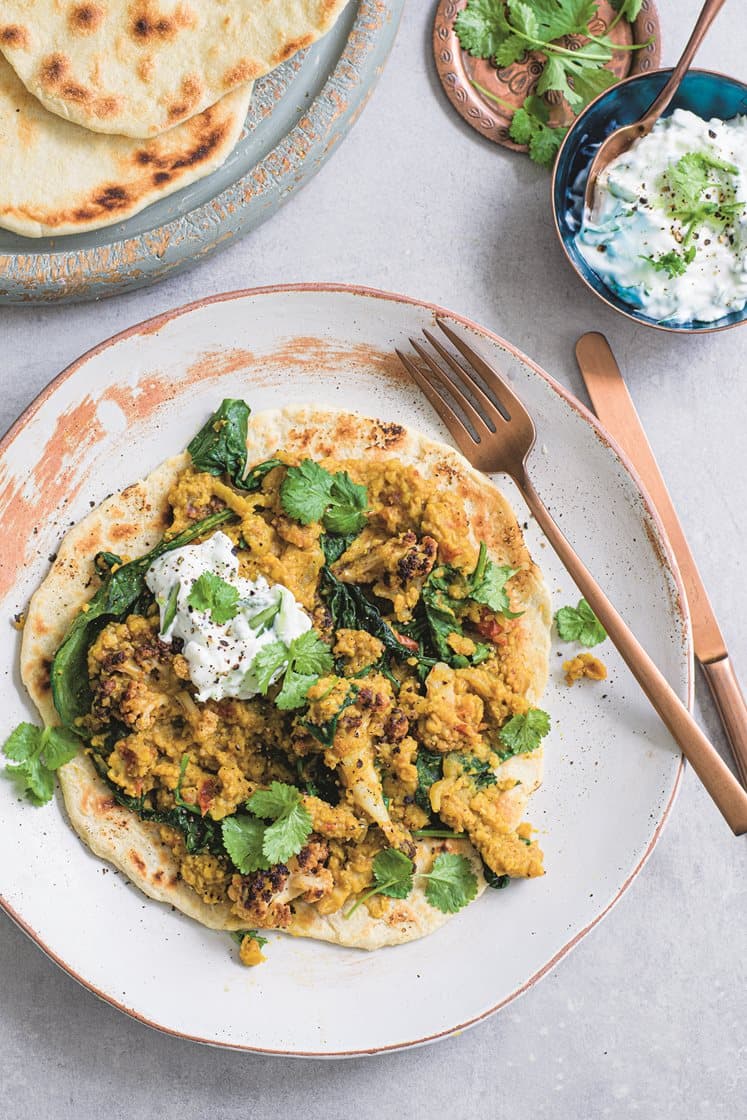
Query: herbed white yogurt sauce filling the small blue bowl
[[629, 236]]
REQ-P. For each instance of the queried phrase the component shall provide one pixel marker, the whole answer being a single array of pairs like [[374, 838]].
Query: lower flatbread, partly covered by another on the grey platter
[[60, 179]]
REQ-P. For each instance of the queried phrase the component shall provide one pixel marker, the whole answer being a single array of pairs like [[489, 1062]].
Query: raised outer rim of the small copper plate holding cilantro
[[474, 109]]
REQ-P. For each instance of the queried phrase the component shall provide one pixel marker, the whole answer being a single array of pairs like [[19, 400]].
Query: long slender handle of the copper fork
[[724, 788]]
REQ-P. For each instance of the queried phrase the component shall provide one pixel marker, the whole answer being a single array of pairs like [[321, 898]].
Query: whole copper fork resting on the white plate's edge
[[501, 441]]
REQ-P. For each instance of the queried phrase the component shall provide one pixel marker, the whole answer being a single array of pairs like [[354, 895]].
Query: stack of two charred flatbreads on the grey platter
[[107, 106]]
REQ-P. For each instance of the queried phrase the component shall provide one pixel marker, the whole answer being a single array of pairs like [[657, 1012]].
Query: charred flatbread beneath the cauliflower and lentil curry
[[135, 520]]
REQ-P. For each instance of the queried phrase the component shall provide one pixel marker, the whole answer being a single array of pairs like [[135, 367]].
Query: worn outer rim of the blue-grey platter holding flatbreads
[[124, 265]]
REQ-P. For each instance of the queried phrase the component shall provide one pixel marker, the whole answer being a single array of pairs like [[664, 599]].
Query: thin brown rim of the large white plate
[[153, 325]]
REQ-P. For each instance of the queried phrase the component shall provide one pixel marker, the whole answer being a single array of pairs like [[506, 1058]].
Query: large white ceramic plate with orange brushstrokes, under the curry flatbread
[[612, 771]]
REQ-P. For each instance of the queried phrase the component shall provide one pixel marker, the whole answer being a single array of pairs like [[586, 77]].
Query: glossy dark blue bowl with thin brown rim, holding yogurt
[[703, 92]]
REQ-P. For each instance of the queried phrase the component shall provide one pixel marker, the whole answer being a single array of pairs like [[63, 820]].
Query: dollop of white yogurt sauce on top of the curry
[[221, 655]]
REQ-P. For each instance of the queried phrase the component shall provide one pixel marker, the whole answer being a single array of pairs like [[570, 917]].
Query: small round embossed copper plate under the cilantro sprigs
[[457, 70]]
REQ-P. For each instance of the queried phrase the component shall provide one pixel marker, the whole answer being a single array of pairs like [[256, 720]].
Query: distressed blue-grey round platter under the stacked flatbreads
[[300, 114]]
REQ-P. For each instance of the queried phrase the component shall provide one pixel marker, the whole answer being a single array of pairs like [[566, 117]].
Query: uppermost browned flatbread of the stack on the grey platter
[[138, 68]]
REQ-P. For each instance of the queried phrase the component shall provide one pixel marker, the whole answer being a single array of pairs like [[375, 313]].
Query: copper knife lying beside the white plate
[[613, 405]]
